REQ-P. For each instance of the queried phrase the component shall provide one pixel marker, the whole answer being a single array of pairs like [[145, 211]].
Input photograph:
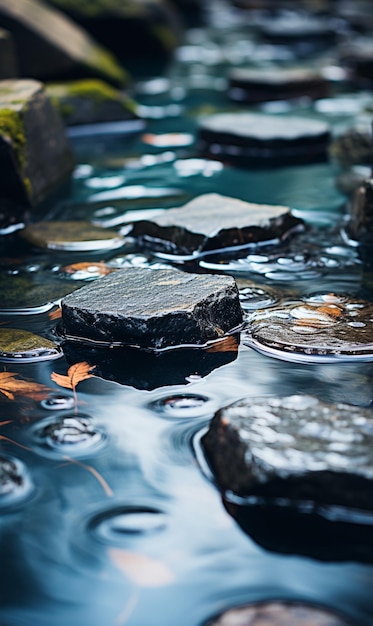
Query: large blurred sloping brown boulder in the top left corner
[[51, 47]]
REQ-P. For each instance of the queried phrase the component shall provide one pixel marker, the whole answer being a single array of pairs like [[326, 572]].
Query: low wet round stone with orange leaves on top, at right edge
[[325, 328]]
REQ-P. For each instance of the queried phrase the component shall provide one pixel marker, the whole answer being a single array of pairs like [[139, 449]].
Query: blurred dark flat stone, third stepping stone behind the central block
[[254, 85]]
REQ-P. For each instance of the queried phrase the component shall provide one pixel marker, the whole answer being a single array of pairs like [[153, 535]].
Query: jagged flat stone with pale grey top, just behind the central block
[[211, 222]]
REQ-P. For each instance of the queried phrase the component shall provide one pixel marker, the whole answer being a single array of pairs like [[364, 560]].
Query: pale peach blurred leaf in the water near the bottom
[[142, 570]]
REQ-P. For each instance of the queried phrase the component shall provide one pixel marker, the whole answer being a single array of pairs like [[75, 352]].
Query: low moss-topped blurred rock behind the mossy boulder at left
[[90, 102]]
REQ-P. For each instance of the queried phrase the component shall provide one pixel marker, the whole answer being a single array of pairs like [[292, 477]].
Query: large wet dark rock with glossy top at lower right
[[297, 448]]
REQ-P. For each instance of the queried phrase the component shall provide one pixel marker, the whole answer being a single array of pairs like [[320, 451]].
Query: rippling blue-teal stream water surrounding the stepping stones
[[108, 514]]
